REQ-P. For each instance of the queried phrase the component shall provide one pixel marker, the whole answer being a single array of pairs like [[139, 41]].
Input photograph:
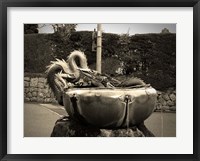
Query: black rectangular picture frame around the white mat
[[4, 4]]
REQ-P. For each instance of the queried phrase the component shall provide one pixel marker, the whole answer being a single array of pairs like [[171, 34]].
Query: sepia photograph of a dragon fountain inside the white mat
[[100, 80]]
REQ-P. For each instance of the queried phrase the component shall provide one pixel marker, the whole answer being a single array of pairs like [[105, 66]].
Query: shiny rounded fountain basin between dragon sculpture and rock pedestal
[[110, 108]]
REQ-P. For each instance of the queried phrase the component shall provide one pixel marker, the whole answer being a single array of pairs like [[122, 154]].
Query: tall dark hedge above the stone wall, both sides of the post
[[151, 57]]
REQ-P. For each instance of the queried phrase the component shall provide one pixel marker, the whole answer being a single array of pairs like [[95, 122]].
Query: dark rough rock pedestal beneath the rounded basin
[[67, 127]]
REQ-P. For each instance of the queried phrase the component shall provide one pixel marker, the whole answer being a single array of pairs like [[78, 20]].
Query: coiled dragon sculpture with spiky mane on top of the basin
[[63, 75]]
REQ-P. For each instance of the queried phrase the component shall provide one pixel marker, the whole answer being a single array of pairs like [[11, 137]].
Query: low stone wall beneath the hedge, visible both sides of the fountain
[[36, 89]]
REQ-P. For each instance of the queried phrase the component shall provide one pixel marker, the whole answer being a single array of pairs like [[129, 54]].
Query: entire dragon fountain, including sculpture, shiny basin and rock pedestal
[[97, 104]]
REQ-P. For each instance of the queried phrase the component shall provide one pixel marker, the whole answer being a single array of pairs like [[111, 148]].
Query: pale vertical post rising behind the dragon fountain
[[99, 46]]
